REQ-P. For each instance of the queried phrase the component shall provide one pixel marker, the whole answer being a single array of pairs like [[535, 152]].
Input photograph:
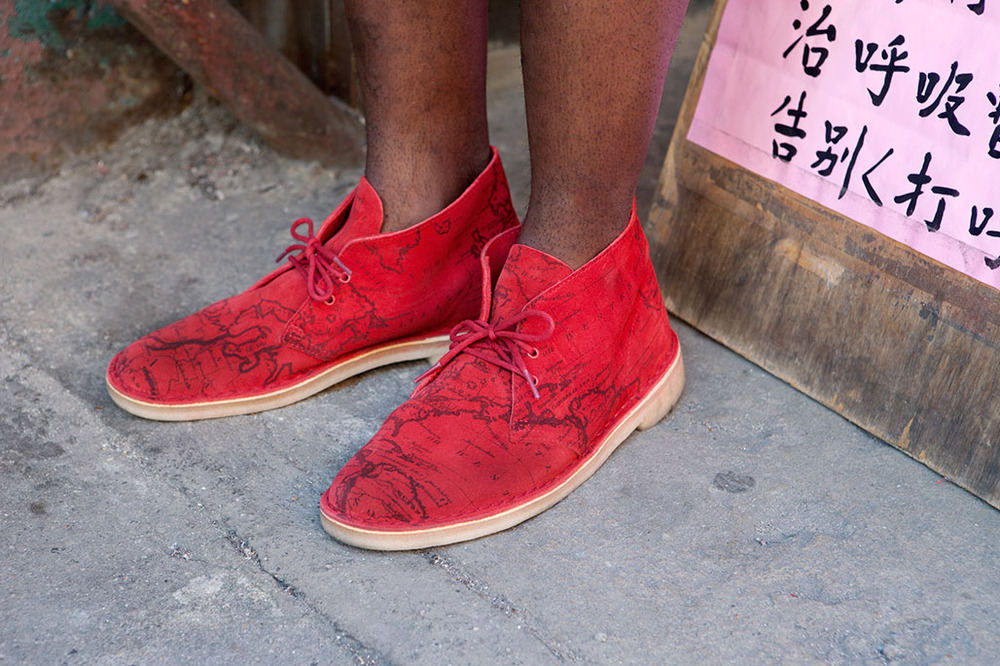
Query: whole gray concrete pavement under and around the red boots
[[753, 525]]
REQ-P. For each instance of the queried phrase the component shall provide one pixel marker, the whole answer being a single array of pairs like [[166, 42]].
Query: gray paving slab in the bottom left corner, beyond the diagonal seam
[[104, 560]]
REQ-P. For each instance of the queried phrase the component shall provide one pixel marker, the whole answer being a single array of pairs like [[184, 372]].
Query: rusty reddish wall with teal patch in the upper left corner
[[73, 75]]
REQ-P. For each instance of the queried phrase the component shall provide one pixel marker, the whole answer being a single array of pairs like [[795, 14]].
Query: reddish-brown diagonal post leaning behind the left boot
[[221, 51]]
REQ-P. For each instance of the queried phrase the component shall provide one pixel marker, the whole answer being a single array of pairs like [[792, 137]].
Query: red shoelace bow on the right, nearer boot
[[500, 344]]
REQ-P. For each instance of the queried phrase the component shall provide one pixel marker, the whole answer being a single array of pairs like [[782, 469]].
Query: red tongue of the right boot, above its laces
[[527, 273]]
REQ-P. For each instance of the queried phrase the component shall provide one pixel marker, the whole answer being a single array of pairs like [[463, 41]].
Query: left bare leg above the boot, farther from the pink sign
[[422, 67]]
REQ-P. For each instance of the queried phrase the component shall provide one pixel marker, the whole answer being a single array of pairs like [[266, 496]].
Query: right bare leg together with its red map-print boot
[[573, 349]]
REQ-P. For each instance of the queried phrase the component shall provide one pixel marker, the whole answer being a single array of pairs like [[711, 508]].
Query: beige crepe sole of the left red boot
[[412, 350]]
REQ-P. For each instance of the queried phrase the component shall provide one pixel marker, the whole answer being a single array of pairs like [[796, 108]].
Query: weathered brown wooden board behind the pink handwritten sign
[[901, 345]]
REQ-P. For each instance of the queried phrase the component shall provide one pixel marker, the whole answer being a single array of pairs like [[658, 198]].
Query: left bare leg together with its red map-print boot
[[349, 296]]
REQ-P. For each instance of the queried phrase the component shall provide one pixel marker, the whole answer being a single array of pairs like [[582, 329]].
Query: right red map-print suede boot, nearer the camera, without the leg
[[529, 401]]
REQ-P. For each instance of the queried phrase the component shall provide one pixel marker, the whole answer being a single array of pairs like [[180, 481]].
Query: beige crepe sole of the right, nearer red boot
[[647, 413]]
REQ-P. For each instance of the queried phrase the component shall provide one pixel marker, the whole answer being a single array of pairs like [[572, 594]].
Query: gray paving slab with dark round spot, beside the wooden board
[[755, 525]]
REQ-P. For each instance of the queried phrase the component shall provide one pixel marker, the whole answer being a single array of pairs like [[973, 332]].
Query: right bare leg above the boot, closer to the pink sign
[[593, 77]]
